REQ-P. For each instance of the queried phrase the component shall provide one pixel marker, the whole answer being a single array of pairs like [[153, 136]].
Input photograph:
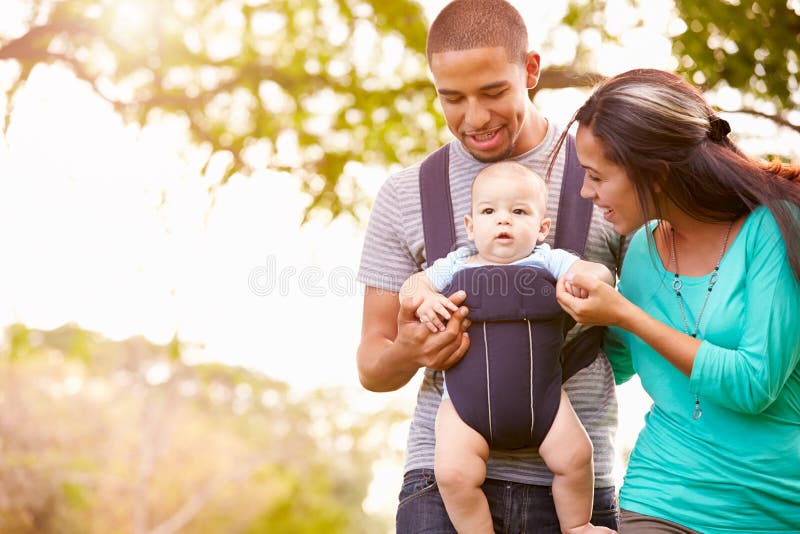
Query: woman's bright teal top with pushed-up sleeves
[[737, 467]]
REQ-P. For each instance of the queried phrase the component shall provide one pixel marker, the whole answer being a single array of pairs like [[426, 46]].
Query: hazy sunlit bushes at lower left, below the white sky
[[103, 436]]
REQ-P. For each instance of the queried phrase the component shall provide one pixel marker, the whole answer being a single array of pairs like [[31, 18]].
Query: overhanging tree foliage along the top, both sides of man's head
[[314, 86]]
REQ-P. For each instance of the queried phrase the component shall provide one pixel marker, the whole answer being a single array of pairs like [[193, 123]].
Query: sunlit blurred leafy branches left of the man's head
[[305, 86]]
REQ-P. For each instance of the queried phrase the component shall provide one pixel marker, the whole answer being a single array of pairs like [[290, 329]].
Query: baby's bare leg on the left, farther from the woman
[[460, 467]]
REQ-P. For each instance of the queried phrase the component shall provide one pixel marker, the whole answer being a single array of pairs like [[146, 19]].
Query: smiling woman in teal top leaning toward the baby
[[707, 311]]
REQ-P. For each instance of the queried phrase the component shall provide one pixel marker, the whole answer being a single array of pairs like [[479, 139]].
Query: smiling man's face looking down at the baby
[[485, 100]]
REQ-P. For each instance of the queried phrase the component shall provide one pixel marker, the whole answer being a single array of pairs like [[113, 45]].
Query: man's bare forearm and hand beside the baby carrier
[[394, 344]]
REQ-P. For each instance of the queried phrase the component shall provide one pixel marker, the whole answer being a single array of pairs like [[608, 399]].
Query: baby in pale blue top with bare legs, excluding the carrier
[[508, 226]]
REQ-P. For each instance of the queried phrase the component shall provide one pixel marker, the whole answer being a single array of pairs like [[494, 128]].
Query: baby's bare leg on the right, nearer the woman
[[567, 451]]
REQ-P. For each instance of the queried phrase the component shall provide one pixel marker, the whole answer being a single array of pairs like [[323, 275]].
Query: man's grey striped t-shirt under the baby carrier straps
[[394, 250]]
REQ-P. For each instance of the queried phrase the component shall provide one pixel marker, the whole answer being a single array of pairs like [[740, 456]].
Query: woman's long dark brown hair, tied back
[[660, 129]]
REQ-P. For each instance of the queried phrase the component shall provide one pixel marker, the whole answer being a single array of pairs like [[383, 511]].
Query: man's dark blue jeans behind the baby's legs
[[516, 508]]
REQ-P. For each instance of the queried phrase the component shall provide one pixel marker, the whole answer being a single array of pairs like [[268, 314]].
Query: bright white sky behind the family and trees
[[86, 238]]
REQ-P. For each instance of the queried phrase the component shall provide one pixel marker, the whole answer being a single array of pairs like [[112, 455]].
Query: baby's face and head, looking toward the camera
[[508, 215]]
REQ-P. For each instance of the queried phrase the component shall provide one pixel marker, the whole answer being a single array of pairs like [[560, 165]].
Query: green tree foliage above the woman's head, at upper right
[[750, 46]]
